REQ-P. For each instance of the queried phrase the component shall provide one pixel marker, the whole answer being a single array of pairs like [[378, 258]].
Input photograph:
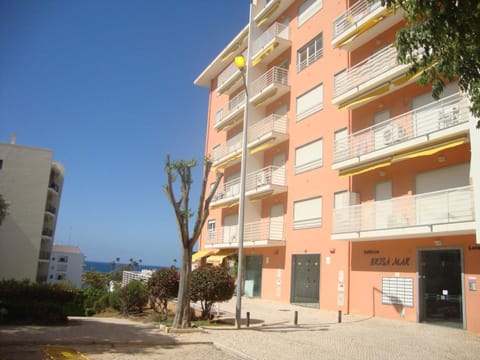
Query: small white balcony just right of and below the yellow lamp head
[[269, 87]]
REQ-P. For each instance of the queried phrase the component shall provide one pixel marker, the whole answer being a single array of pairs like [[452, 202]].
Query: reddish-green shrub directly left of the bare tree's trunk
[[162, 287]]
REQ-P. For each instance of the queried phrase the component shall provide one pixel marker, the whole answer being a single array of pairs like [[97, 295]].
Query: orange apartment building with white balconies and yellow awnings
[[359, 191]]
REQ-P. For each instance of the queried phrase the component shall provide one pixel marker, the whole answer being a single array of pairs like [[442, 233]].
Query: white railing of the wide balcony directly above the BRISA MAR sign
[[429, 210]]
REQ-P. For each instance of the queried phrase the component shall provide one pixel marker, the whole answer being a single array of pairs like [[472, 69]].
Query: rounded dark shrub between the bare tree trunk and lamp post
[[211, 284]]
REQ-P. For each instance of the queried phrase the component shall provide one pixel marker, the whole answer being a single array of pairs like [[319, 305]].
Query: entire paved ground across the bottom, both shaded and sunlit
[[272, 335]]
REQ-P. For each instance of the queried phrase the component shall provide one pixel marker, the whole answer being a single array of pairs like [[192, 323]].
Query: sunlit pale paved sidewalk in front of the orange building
[[273, 335]]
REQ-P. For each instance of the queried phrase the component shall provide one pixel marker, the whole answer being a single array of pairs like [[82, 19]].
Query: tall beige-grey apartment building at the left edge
[[31, 182]]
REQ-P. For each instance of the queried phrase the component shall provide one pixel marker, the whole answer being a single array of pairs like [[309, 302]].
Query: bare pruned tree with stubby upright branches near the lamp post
[[183, 170]]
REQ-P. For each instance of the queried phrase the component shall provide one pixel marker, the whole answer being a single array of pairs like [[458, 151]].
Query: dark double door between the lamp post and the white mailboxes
[[306, 280]]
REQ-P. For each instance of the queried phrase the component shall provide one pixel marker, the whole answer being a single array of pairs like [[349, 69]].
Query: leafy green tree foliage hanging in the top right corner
[[440, 40]]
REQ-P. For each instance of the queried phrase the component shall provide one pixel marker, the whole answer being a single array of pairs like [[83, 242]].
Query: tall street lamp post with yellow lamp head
[[240, 63]]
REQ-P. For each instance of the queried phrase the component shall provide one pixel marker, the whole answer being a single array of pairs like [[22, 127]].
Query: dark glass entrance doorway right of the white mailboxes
[[440, 281]]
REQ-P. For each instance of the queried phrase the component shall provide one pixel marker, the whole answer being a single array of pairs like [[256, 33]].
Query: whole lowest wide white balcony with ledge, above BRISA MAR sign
[[439, 213]]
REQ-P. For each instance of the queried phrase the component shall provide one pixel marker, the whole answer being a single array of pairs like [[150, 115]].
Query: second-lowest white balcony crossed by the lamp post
[[258, 184]]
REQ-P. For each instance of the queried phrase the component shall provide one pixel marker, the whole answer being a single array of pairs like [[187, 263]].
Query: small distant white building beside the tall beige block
[[66, 265]]
